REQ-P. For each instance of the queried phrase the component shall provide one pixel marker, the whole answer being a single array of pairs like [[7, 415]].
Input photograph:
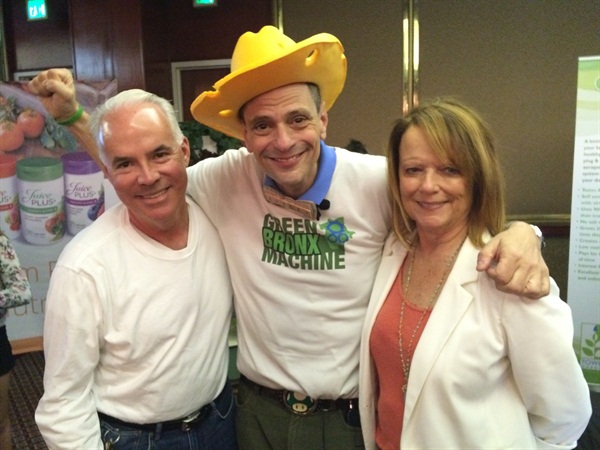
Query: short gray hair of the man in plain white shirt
[[127, 98]]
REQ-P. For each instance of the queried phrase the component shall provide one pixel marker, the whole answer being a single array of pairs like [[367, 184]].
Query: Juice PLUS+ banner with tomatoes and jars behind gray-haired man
[[49, 191]]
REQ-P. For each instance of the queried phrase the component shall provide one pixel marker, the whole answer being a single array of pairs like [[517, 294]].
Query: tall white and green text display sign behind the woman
[[584, 252]]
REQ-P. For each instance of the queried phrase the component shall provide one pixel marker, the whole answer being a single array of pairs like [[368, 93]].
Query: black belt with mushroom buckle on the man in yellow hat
[[299, 403]]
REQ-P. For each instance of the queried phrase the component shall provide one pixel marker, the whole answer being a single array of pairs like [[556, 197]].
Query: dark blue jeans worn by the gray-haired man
[[215, 431]]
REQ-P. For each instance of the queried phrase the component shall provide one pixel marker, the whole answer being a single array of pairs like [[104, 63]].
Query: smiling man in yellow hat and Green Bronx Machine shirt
[[303, 225]]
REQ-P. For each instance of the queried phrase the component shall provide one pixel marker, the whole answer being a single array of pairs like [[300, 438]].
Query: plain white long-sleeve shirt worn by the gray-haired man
[[132, 329]]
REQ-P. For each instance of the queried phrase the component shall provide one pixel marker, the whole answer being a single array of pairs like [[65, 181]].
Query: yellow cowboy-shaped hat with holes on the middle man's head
[[267, 60]]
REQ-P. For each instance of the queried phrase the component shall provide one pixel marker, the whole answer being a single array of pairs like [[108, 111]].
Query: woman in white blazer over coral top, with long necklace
[[447, 360]]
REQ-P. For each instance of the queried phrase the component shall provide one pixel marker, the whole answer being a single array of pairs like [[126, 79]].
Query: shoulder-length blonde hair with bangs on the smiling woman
[[457, 135]]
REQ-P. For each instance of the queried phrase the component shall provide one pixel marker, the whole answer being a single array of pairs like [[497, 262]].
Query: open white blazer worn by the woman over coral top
[[491, 370]]
